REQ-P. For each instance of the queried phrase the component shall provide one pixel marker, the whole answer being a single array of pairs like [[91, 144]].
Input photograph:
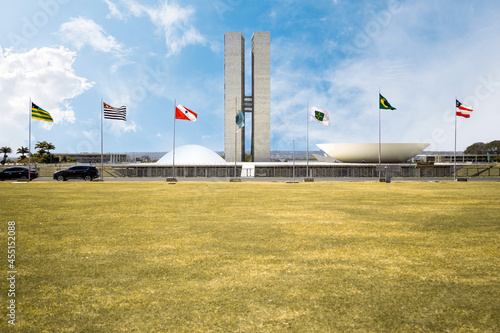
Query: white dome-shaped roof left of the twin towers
[[192, 154]]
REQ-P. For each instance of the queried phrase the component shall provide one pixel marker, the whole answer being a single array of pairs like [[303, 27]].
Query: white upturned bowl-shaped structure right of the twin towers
[[368, 152]]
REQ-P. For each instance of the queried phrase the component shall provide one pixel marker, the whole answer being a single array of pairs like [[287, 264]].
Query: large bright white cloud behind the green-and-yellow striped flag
[[47, 76]]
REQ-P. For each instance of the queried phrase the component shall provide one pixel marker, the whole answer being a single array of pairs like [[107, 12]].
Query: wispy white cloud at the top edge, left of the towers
[[171, 20]]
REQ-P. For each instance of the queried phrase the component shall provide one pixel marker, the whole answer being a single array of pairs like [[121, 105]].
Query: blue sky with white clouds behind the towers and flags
[[336, 55]]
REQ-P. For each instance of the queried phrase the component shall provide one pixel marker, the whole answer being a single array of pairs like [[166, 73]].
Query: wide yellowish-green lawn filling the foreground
[[254, 257]]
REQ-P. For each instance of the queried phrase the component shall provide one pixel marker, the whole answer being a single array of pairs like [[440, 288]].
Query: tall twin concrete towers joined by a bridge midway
[[257, 105]]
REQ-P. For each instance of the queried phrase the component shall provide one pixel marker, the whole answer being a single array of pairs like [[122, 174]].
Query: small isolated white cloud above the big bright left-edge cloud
[[81, 32]]
